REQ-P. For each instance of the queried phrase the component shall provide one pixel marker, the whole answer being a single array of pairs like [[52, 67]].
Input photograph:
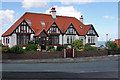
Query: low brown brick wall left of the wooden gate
[[33, 55]]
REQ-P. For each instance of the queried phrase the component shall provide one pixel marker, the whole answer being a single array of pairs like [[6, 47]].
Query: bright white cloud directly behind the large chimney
[[66, 11]]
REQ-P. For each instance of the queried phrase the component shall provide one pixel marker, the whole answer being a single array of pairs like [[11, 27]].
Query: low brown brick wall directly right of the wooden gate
[[90, 53]]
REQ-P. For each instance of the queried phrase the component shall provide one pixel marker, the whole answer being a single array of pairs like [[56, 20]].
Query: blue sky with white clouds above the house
[[103, 15]]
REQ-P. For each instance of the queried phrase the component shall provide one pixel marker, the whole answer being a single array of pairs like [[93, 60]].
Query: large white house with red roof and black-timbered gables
[[58, 30]]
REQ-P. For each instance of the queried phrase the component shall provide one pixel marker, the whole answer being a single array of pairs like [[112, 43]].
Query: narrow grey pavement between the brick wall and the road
[[65, 60]]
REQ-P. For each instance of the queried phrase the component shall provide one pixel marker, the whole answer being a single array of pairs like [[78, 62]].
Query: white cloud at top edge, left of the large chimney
[[34, 3]]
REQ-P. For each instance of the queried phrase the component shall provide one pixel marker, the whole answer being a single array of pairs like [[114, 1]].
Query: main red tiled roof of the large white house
[[63, 23]]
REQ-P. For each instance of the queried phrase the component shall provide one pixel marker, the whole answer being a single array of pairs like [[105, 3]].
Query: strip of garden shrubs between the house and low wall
[[77, 45]]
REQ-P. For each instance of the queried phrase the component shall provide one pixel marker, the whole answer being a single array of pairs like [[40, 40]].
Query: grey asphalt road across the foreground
[[106, 69]]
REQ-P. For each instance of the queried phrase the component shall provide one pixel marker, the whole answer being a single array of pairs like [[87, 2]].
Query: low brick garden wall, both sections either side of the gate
[[51, 55]]
